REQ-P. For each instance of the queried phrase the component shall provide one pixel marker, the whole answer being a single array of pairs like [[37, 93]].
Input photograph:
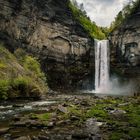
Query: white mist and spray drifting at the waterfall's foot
[[116, 86]]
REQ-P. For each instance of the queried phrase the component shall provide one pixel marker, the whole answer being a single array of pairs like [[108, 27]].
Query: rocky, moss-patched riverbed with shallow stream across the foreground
[[72, 117]]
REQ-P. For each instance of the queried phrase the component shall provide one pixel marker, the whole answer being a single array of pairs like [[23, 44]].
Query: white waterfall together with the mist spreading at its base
[[104, 83]]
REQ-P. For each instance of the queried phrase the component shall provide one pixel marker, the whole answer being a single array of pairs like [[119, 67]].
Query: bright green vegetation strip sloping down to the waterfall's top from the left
[[93, 30]]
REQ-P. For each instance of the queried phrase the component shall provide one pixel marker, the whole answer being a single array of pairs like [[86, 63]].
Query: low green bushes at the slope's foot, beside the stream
[[19, 87]]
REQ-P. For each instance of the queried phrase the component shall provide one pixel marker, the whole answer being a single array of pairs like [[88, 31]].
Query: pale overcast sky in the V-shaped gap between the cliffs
[[103, 11]]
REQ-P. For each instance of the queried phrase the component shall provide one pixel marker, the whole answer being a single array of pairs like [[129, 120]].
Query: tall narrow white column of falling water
[[101, 66]]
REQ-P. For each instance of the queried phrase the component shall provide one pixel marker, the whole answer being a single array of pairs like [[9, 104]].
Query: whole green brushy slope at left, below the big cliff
[[21, 75]]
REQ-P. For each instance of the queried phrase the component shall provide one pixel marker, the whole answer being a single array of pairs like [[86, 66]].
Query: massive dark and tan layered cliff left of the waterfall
[[47, 29]]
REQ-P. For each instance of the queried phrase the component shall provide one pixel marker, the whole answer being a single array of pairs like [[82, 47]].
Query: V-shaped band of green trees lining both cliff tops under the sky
[[102, 32]]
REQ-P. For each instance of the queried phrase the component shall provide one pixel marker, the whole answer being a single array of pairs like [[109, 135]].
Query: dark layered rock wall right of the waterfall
[[125, 42]]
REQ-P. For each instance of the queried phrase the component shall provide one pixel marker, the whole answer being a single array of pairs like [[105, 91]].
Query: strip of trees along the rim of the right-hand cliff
[[129, 10]]
